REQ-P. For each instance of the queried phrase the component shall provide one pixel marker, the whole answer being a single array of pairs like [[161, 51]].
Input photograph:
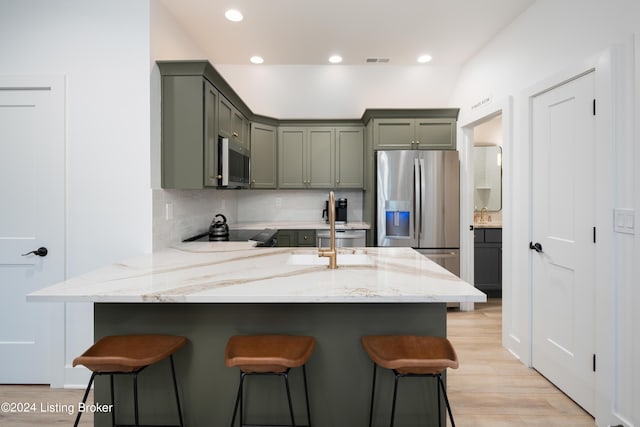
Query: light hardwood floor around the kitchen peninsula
[[491, 387]]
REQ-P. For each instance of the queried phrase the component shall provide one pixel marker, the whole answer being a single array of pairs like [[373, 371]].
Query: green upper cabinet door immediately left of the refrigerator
[[349, 157]]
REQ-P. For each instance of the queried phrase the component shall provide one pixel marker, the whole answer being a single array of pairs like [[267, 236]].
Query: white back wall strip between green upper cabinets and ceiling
[[338, 91]]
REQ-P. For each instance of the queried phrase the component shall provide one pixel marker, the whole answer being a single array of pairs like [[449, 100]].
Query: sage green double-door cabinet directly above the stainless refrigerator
[[414, 134]]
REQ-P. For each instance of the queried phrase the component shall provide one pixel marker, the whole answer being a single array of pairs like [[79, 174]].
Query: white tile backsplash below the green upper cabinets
[[178, 214]]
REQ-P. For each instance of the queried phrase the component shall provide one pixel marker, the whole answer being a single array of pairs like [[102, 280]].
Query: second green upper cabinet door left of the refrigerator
[[319, 162]]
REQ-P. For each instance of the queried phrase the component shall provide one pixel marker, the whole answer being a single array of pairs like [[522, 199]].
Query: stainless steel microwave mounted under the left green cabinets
[[233, 164]]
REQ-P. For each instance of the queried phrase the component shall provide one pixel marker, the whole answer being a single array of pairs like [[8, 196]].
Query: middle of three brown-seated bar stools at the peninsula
[[269, 355]]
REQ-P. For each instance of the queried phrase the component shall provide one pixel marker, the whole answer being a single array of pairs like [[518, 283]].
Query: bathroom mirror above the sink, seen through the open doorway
[[487, 167]]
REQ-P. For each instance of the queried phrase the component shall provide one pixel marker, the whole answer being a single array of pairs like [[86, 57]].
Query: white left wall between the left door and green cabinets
[[102, 48]]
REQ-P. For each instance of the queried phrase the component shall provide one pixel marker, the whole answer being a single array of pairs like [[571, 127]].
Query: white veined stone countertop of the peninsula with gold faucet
[[236, 272]]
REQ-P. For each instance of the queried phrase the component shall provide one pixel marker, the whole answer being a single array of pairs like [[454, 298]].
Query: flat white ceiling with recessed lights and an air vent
[[309, 31]]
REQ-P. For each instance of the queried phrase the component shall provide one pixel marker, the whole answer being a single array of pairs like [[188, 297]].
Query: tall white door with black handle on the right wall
[[563, 342]]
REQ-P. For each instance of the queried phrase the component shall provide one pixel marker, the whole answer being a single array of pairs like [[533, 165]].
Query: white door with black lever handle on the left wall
[[31, 216]]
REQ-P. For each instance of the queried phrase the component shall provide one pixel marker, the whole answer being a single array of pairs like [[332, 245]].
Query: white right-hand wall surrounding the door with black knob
[[544, 41]]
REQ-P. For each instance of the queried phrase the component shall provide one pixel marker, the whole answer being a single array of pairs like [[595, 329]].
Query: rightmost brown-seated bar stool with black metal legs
[[411, 356]]
